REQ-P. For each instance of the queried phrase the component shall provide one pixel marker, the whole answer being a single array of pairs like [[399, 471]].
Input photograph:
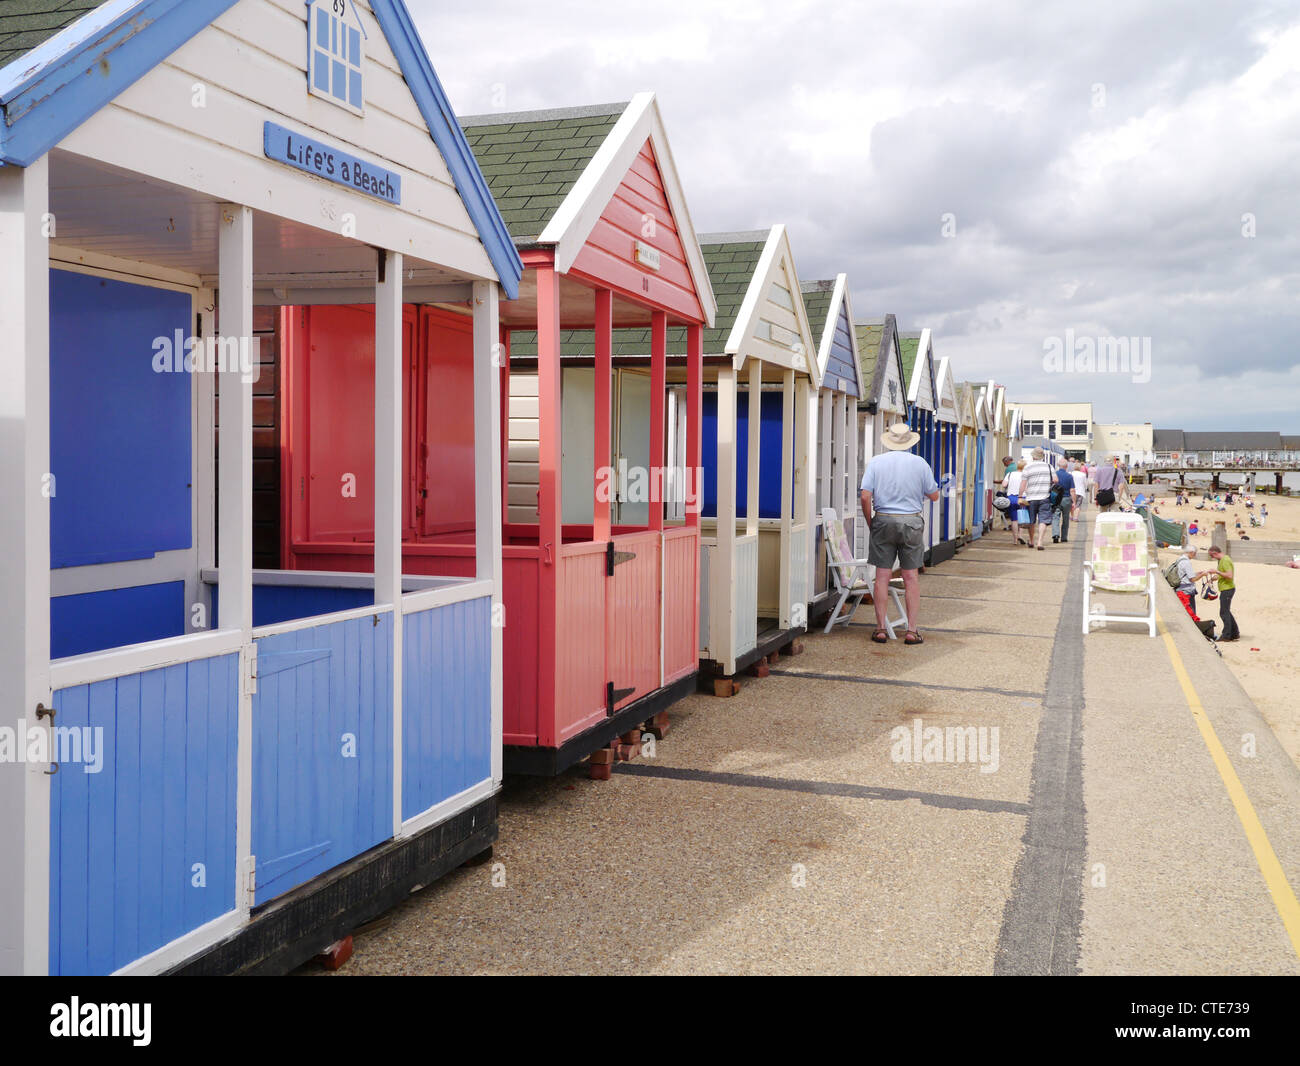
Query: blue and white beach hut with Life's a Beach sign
[[227, 769]]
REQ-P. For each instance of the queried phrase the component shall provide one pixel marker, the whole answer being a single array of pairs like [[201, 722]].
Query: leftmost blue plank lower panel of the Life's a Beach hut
[[144, 852]]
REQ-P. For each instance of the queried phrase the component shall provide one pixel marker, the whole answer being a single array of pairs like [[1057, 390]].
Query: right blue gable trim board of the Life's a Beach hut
[[432, 101]]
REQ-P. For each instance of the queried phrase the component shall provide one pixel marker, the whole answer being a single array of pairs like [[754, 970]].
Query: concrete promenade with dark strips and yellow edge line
[[1117, 822]]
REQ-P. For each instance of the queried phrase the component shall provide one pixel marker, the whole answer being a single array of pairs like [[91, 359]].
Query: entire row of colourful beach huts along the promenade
[[357, 456]]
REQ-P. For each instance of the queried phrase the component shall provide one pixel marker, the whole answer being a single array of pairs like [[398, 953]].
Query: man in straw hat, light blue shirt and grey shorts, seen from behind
[[895, 491]]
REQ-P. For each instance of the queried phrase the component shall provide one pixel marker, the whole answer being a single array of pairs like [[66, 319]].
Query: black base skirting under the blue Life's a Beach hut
[[287, 933]]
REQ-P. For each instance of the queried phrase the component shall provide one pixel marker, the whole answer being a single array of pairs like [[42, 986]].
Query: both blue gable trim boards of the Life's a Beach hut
[[50, 92]]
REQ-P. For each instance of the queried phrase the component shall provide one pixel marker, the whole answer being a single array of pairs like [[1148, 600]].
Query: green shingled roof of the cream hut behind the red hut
[[731, 259]]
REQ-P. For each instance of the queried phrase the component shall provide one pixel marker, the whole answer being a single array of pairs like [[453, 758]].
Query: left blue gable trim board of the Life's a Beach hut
[[50, 92]]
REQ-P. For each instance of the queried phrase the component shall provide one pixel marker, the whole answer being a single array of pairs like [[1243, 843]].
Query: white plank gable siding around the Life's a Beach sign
[[252, 64]]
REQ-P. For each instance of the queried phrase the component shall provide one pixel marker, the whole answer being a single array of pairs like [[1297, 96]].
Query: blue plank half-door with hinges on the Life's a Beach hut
[[323, 749]]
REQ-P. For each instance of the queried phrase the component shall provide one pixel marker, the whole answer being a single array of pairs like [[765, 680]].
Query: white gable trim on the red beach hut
[[575, 219]]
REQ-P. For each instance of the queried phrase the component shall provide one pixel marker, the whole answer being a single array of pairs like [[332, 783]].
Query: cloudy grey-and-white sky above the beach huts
[[1000, 172]]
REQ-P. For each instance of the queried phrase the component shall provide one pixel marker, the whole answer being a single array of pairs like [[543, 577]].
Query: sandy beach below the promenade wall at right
[[1267, 660]]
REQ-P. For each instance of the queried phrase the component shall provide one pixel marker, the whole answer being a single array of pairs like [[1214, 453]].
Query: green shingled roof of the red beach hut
[[534, 159]]
